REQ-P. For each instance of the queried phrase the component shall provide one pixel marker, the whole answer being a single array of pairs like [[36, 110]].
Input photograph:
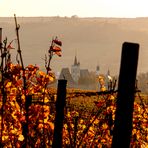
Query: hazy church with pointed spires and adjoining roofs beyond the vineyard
[[82, 78]]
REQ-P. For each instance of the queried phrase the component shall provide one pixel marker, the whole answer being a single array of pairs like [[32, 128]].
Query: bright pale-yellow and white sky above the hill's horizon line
[[82, 8]]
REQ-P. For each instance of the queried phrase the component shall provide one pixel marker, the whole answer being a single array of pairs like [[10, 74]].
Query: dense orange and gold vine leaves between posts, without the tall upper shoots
[[88, 121]]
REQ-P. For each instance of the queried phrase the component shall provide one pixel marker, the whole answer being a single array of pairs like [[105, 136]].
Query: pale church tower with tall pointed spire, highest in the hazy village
[[75, 70]]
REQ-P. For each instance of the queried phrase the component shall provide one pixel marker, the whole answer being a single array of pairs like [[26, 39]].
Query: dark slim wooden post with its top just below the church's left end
[[60, 104]]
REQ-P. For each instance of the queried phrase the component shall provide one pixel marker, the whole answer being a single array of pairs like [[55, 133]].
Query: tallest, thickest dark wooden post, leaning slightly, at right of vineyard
[[125, 99]]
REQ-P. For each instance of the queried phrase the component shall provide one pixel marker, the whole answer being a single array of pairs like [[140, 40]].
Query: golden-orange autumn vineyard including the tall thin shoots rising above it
[[29, 108]]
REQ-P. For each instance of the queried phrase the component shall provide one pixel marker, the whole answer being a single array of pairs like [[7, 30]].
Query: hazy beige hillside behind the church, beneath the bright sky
[[94, 40]]
